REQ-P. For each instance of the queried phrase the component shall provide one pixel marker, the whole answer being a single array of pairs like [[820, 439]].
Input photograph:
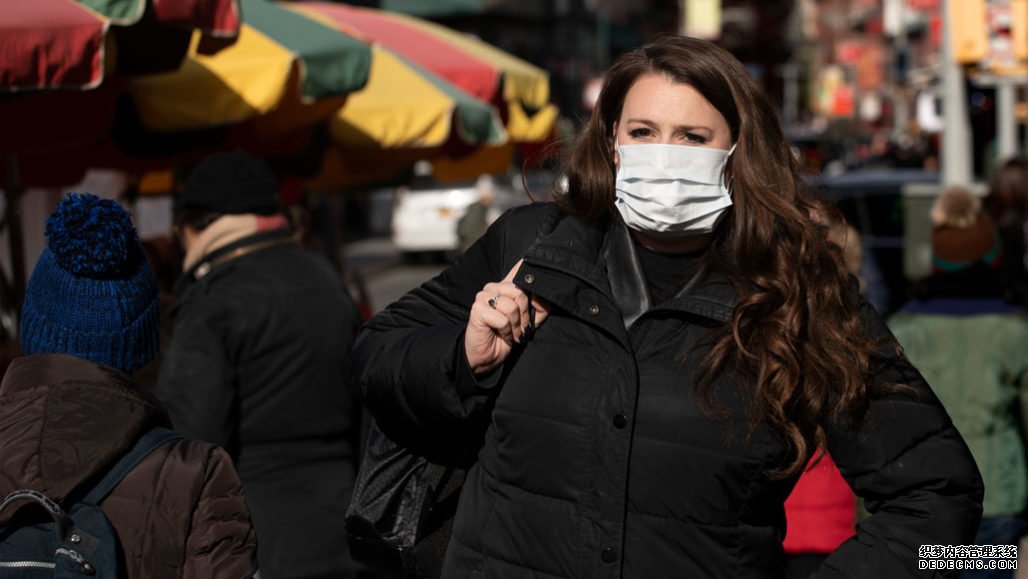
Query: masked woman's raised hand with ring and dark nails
[[499, 319]]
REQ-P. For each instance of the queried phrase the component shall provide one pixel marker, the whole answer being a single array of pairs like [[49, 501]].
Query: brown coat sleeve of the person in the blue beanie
[[222, 542]]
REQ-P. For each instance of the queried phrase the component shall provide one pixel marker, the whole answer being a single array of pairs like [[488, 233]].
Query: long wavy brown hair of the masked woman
[[796, 331]]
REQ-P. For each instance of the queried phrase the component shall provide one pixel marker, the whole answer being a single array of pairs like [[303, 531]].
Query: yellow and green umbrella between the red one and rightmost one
[[284, 73]]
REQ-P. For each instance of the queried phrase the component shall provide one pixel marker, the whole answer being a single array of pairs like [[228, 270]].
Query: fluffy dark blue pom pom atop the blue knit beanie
[[92, 237]]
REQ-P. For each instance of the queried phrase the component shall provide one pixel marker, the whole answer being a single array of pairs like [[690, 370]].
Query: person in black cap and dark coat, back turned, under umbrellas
[[260, 365]]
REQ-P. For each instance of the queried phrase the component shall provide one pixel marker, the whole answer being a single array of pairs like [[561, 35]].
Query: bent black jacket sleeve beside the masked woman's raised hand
[[410, 359]]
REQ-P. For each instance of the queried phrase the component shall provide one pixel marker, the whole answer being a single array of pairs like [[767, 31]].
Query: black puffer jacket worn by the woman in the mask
[[599, 463]]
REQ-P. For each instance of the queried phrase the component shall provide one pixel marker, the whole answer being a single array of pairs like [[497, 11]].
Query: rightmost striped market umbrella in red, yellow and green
[[433, 94]]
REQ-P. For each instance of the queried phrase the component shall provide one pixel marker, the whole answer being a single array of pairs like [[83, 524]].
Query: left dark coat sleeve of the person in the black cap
[[198, 380]]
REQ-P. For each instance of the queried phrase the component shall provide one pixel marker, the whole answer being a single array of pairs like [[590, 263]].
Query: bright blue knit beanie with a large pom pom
[[93, 294]]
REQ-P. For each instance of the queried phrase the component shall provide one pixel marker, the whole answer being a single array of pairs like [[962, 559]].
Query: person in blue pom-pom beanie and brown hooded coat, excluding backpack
[[69, 409]]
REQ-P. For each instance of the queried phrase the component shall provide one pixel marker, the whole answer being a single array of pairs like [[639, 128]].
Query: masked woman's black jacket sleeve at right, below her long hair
[[913, 469]]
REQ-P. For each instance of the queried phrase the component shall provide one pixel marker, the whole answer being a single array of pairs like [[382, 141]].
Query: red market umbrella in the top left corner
[[56, 63]]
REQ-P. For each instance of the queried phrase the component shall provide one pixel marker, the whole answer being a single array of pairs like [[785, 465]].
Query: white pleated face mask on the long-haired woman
[[672, 189]]
